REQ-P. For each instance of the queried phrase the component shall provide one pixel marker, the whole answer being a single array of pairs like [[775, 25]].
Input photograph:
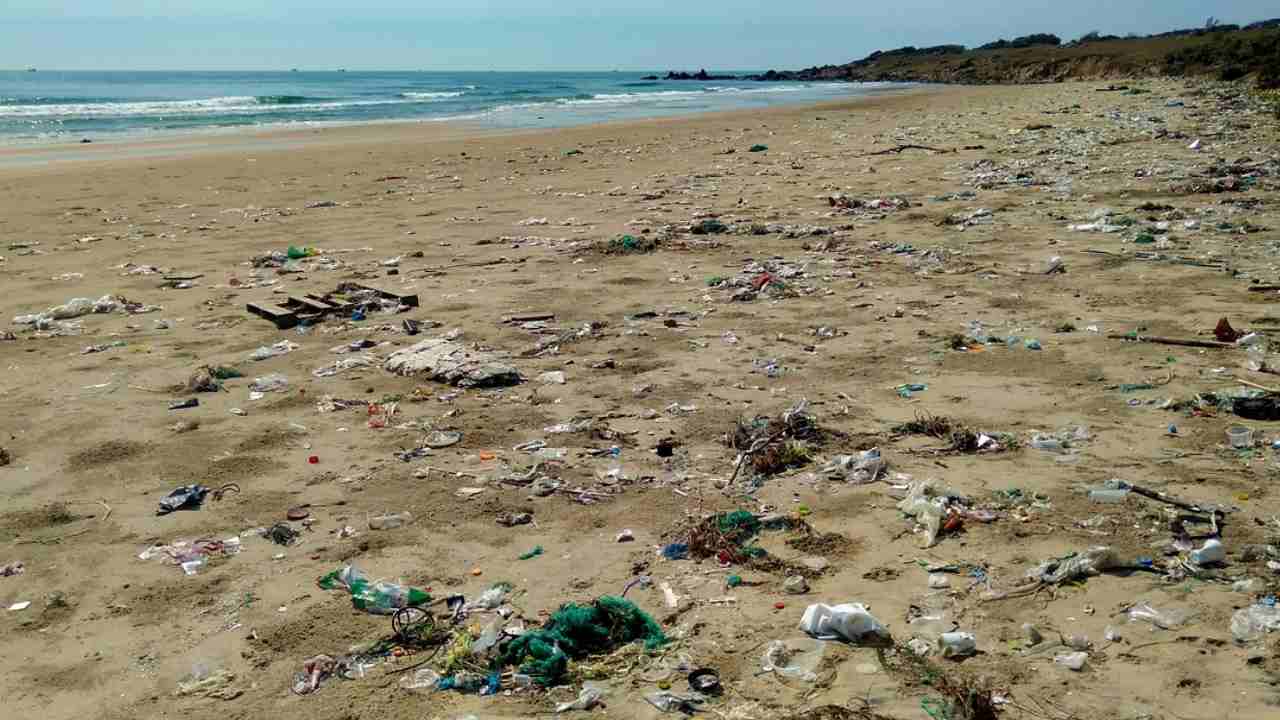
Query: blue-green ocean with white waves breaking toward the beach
[[67, 107]]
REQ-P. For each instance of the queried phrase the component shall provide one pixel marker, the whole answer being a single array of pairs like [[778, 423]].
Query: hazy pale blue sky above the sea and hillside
[[652, 35]]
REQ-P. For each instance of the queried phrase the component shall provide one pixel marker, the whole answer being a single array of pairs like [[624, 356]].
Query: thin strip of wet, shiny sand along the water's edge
[[292, 136]]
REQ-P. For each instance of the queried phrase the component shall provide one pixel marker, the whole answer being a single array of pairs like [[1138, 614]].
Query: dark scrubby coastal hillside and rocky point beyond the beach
[[1219, 52]]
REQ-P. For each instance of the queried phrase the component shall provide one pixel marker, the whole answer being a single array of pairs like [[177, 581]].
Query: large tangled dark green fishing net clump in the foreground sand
[[578, 631]]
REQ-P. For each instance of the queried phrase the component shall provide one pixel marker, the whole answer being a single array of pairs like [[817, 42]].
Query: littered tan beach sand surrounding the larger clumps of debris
[[112, 636]]
